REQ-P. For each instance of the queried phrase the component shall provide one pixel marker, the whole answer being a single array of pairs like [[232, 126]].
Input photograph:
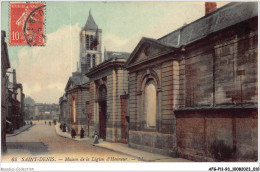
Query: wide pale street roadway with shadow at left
[[40, 143]]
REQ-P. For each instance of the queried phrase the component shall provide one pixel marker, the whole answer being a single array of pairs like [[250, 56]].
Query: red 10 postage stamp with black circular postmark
[[27, 25]]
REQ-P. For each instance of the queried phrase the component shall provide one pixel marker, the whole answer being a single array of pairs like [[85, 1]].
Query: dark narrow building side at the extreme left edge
[[5, 64]]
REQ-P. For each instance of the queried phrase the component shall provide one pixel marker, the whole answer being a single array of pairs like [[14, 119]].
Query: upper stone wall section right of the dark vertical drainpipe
[[236, 68]]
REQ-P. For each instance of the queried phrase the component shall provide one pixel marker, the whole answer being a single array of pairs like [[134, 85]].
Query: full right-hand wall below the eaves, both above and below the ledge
[[220, 81]]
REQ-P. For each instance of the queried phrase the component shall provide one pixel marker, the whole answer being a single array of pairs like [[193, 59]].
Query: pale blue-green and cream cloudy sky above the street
[[44, 71]]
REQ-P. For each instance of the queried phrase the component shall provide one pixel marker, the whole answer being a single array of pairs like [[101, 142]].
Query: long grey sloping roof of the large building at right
[[228, 15]]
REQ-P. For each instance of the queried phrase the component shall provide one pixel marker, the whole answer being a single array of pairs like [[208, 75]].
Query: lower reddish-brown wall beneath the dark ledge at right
[[217, 135]]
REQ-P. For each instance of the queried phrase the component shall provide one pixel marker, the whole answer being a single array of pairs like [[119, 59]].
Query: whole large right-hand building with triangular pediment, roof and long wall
[[201, 83]]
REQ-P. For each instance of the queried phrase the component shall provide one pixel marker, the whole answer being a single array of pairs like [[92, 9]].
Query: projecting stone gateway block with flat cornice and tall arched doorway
[[106, 105]]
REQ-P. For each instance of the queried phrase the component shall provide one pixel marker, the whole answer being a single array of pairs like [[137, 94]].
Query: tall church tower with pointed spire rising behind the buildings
[[90, 45]]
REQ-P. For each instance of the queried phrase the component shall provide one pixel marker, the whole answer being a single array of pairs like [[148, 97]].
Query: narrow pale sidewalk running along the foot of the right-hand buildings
[[124, 149]]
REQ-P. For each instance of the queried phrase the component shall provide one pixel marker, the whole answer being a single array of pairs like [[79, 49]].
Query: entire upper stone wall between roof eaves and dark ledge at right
[[223, 68]]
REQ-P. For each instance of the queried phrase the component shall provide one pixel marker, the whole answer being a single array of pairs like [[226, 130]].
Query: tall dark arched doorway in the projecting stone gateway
[[102, 99]]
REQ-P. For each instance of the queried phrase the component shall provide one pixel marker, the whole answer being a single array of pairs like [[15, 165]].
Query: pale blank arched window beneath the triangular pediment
[[150, 105]]
